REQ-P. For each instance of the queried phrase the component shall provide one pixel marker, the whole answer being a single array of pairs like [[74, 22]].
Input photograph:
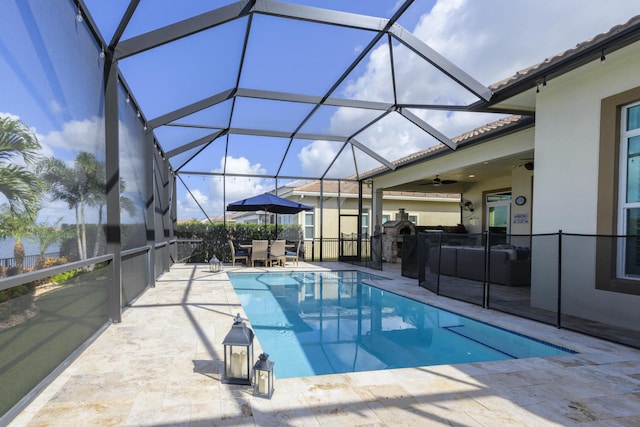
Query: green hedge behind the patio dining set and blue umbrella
[[215, 237]]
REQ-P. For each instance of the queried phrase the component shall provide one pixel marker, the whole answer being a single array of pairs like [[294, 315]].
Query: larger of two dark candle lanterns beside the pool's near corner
[[238, 353]]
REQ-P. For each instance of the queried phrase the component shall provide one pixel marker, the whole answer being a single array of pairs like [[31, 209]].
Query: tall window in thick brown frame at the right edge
[[629, 196]]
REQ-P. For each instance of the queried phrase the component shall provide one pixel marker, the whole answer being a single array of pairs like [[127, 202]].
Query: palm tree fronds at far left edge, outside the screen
[[21, 187]]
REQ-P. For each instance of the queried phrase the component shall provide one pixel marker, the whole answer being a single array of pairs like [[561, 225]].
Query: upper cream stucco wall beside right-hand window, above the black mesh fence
[[567, 141]]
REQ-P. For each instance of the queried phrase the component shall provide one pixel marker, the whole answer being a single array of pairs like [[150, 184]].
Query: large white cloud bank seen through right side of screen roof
[[489, 40]]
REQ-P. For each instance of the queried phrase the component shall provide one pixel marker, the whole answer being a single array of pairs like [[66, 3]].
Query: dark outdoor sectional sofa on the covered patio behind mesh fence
[[509, 266]]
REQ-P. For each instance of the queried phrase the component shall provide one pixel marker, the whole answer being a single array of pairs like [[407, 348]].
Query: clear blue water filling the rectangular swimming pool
[[314, 323]]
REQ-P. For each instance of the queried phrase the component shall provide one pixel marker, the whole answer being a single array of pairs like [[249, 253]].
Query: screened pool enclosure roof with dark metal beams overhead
[[265, 89]]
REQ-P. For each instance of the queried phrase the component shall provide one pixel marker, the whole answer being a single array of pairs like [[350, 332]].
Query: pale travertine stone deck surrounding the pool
[[161, 367]]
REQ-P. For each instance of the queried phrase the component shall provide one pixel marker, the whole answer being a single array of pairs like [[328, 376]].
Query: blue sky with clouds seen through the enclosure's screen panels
[[489, 39]]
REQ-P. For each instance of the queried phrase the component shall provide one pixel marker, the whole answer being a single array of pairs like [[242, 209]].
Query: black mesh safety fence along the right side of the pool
[[570, 281]]
